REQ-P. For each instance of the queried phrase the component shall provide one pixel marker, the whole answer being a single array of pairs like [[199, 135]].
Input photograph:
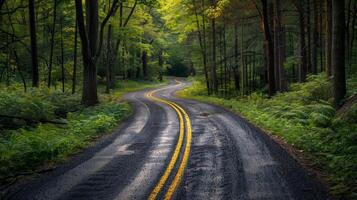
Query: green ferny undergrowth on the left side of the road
[[28, 146]]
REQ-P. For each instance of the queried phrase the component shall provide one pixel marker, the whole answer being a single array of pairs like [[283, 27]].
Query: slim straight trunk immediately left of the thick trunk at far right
[[329, 37]]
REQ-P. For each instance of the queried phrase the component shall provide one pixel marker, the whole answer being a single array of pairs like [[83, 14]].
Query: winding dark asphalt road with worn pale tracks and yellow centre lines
[[173, 148]]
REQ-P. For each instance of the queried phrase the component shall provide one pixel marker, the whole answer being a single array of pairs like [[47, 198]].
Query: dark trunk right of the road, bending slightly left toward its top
[[270, 49]]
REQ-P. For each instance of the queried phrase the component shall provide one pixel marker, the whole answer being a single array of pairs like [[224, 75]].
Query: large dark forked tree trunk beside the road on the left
[[89, 93]]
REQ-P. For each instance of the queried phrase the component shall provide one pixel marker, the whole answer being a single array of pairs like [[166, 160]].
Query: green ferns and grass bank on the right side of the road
[[304, 118]]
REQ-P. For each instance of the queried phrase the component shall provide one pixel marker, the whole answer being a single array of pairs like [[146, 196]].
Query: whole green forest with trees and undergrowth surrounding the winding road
[[287, 66]]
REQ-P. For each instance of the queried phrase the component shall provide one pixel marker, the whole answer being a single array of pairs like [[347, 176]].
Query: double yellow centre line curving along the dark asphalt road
[[184, 120]]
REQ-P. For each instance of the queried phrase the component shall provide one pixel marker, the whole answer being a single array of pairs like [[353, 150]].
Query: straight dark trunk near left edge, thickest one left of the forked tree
[[32, 16]]
